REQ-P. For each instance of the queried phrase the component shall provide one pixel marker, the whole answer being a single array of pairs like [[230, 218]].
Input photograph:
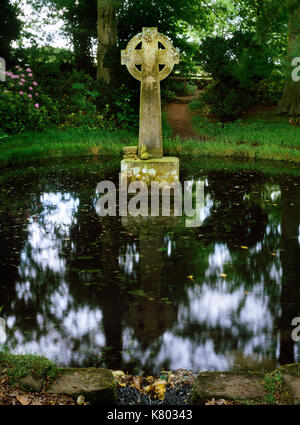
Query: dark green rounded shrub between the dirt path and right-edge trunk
[[237, 65]]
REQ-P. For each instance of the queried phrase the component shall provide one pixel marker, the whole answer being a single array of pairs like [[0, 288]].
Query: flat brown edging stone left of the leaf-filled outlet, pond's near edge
[[96, 385]]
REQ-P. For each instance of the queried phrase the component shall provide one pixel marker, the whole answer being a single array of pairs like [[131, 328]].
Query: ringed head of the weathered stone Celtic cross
[[163, 55]]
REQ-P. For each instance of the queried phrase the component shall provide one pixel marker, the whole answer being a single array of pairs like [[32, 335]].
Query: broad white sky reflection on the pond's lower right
[[212, 308]]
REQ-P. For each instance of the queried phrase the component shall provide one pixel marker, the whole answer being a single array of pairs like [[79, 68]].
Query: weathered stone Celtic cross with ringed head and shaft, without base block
[[150, 57]]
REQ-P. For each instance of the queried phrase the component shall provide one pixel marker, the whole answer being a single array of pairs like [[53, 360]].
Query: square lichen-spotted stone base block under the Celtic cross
[[163, 170]]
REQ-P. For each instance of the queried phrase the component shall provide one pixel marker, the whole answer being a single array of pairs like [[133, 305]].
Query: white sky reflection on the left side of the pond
[[45, 237]]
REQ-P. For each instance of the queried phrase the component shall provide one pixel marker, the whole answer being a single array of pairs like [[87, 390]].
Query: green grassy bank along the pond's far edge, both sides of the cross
[[253, 138]]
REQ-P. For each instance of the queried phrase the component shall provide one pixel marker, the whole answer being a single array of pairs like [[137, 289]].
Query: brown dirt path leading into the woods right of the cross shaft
[[179, 118]]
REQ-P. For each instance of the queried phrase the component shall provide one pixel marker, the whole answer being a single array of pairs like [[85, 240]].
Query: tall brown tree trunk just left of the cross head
[[107, 34]]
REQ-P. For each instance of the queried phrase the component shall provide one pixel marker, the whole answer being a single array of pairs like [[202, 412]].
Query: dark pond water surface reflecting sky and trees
[[91, 291]]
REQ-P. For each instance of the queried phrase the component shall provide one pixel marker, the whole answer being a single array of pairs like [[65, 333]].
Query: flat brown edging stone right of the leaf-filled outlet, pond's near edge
[[228, 386]]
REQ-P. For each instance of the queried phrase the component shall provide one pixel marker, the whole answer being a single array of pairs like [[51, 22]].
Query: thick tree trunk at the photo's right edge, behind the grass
[[290, 101]]
